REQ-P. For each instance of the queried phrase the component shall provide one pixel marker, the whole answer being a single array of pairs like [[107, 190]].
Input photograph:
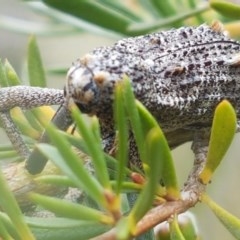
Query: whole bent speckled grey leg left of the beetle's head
[[25, 97]]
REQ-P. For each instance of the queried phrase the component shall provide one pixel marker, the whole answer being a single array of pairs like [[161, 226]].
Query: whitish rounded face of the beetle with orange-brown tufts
[[85, 83]]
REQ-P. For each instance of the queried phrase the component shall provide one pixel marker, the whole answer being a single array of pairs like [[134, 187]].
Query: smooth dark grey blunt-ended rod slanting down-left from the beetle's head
[[36, 161]]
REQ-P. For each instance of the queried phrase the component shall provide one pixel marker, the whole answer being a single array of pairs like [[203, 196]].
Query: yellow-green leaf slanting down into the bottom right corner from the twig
[[231, 222]]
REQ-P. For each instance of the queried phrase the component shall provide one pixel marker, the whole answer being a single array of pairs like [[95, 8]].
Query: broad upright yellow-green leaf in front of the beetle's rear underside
[[222, 133]]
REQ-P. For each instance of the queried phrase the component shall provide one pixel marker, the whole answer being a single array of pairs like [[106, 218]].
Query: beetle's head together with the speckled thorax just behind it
[[91, 80]]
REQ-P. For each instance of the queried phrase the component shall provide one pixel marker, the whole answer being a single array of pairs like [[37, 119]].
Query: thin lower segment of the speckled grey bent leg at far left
[[14, 134]]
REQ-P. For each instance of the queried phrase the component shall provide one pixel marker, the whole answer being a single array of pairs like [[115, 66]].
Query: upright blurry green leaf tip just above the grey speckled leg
[[35, 67]]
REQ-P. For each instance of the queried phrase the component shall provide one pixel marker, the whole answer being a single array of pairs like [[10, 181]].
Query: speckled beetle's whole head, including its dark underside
[[89, 85]]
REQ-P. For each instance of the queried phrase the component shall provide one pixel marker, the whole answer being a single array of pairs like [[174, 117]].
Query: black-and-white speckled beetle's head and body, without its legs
[[179, 75]]
